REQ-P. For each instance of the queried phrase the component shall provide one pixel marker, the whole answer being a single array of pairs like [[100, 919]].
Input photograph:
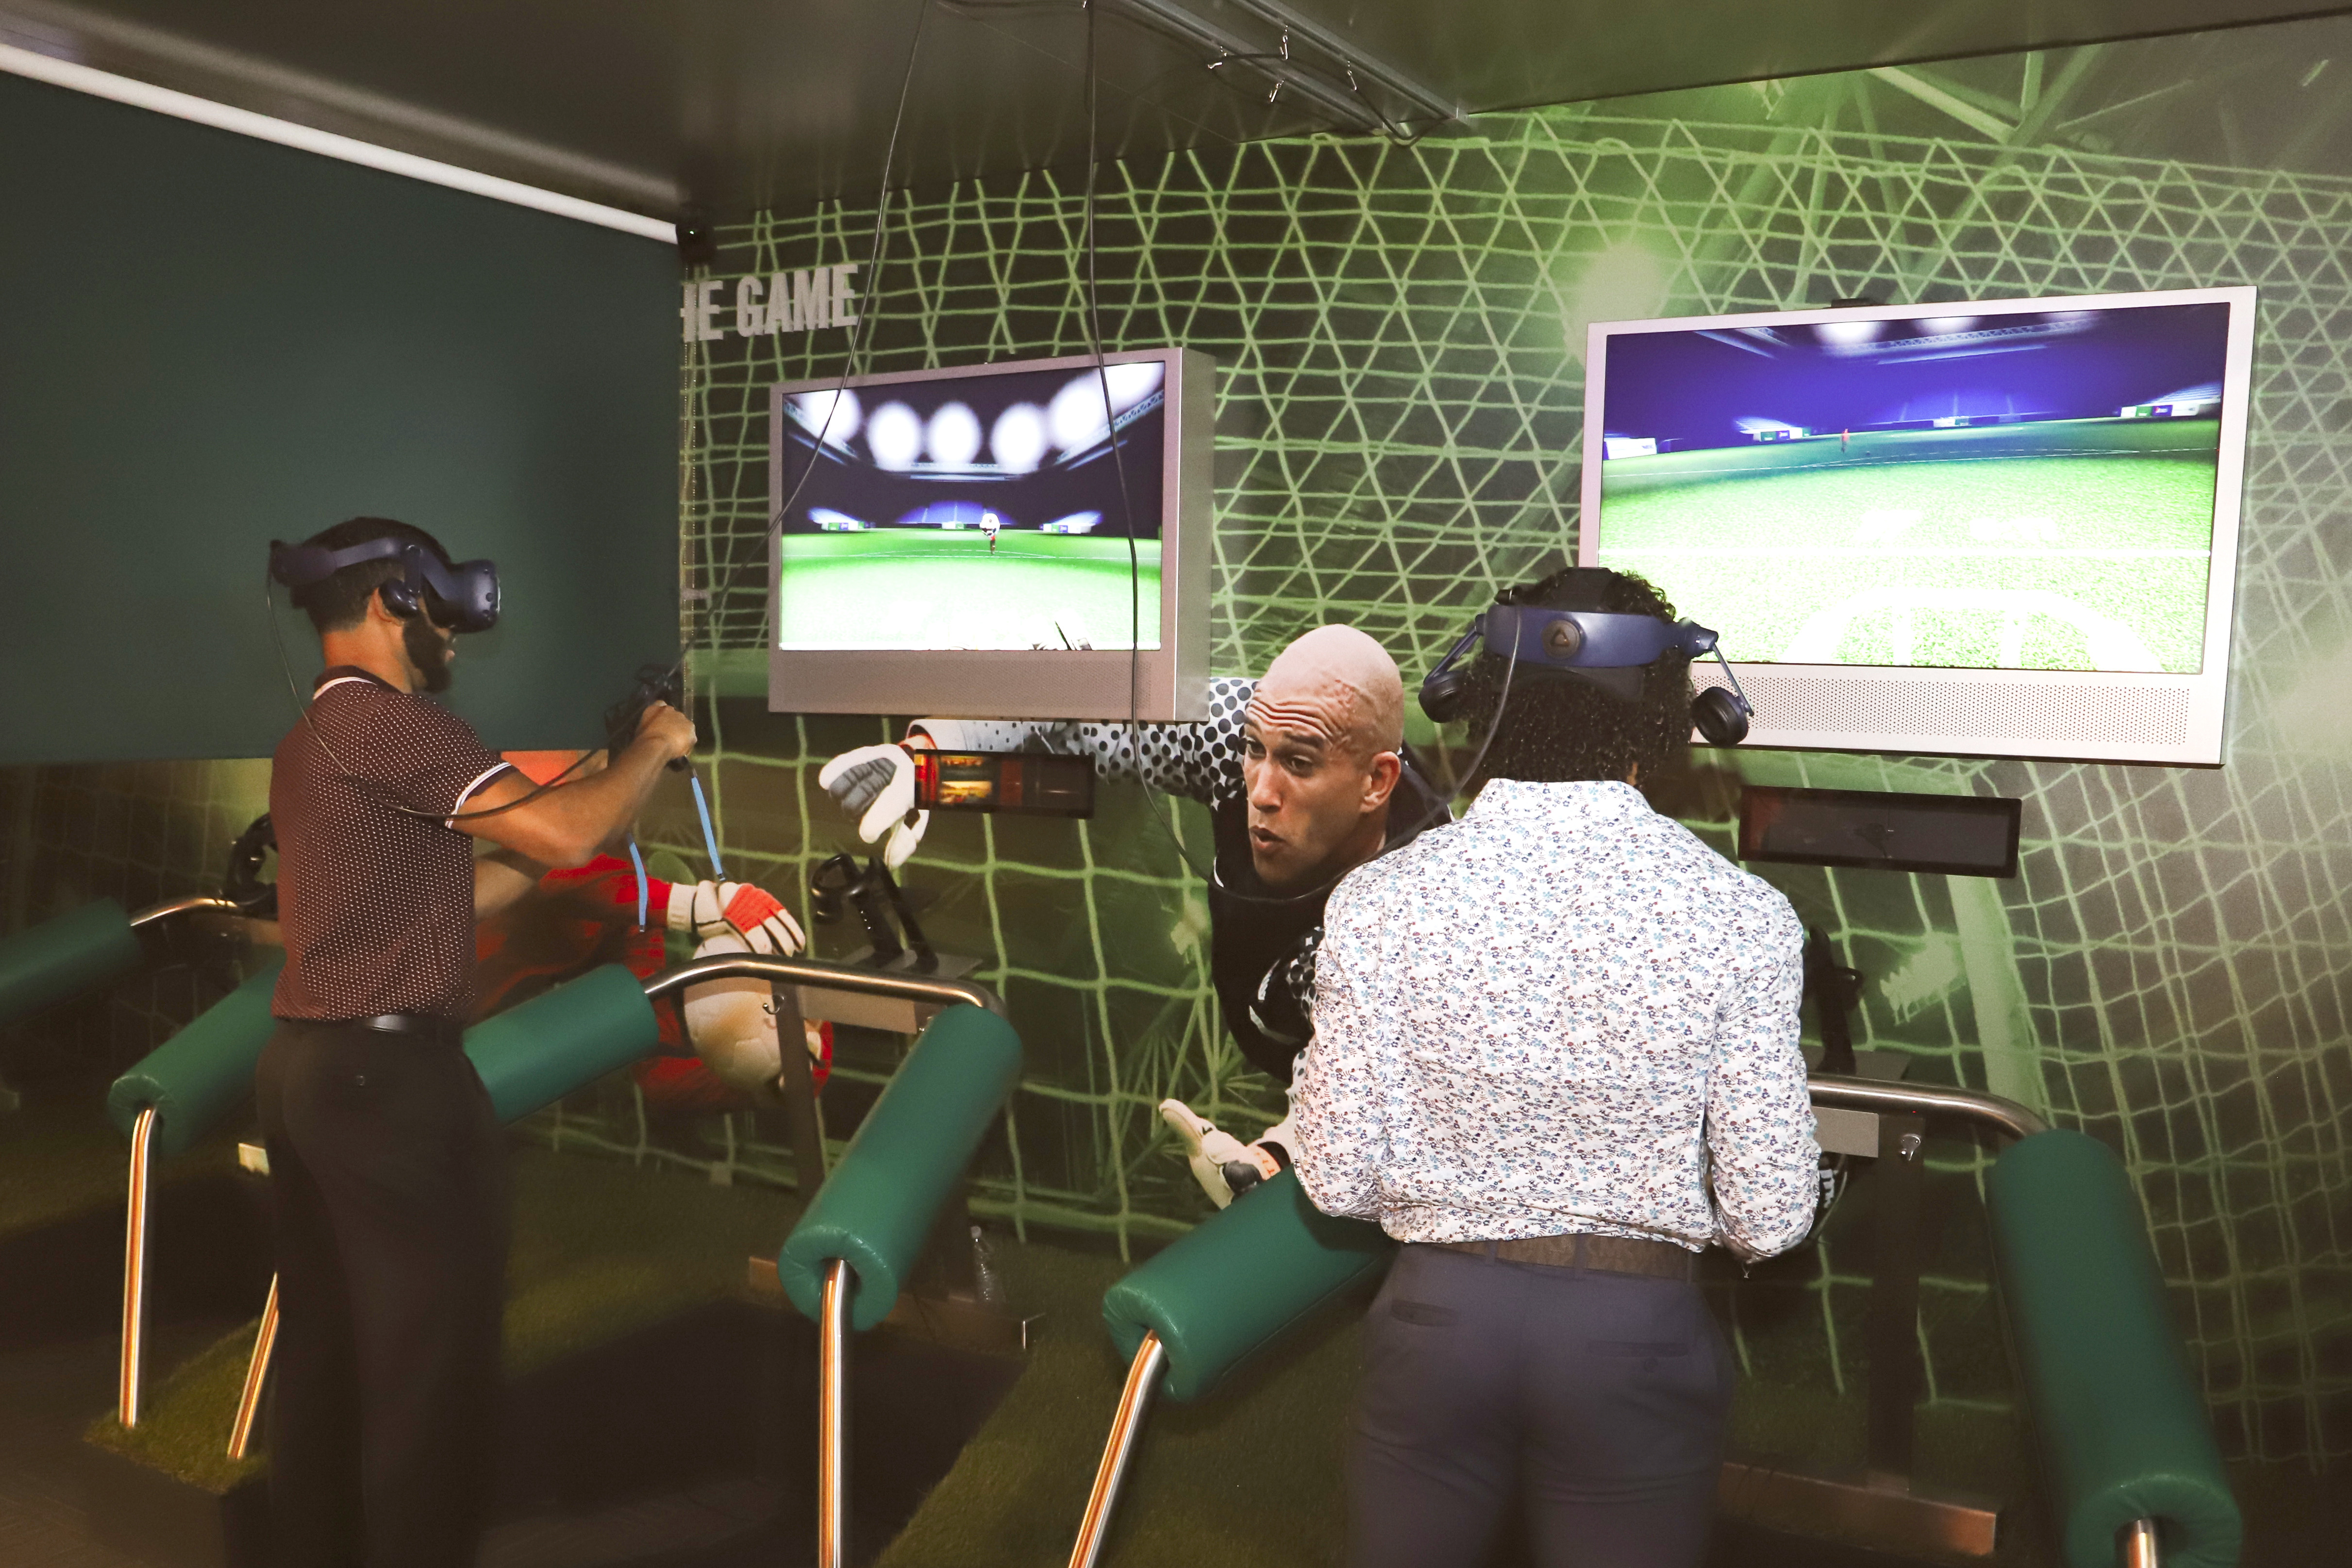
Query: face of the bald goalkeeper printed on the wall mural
[[1318, 793]]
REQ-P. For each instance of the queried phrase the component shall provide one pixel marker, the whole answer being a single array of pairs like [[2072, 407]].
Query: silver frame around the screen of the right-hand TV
[[1984, 713]]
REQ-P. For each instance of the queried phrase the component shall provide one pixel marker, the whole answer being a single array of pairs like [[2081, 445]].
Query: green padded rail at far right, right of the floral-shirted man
[[2123, 1428]]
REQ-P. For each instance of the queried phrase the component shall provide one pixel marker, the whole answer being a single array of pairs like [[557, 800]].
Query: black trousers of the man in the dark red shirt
[[389, 1191]]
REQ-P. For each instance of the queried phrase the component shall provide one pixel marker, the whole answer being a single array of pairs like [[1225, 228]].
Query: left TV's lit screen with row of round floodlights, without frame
[[975, 511]]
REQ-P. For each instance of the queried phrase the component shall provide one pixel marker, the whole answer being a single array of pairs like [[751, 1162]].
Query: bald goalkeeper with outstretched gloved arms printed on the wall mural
[[1307, 777]]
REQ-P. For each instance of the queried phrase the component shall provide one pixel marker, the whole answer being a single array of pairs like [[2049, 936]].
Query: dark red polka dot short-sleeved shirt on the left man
[[375, 887]]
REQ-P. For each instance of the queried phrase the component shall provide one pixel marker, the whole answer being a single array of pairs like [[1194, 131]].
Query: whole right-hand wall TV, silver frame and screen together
[[1996, 530]]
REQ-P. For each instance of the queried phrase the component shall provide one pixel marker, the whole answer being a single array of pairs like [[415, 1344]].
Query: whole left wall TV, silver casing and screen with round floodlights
[[996, 542]]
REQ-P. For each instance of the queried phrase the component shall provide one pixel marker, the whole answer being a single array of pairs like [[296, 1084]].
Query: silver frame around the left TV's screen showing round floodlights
[[1170, 683]]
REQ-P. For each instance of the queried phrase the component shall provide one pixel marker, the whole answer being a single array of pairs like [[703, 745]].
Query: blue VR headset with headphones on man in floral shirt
[[1603, 650]]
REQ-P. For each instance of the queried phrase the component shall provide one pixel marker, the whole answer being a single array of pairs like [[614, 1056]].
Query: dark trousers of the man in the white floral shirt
[[1598, 1400]]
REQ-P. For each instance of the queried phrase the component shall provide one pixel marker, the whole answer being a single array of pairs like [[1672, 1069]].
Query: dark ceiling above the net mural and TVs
[[723, 107]]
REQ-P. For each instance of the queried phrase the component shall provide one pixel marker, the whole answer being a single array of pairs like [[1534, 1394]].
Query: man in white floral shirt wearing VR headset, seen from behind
[[1556, 1054]]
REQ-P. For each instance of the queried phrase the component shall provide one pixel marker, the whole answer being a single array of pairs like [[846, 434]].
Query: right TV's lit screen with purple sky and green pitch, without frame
[[1944, 490]]
